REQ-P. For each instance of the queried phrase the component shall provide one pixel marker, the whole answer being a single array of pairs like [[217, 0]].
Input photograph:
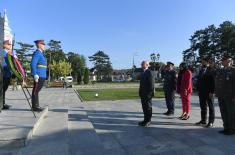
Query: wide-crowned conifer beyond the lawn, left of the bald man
[[102, 64]]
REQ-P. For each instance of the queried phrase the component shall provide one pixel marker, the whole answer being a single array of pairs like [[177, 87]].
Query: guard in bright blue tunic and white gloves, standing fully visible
[[38, 71]]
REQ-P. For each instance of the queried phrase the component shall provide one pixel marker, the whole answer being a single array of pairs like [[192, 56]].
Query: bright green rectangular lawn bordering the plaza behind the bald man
[[114, 94]]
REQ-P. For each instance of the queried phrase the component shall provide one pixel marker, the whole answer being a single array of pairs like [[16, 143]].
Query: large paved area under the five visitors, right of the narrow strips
[[116, 124]]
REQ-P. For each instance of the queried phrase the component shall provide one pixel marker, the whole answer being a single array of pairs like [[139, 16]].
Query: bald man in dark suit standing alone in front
[[146, 92]]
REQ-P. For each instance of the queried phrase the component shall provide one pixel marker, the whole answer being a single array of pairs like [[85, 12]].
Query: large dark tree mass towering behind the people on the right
[[211, 42]]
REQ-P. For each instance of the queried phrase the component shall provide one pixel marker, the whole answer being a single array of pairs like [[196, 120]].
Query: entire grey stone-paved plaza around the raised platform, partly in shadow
[[110, 127]]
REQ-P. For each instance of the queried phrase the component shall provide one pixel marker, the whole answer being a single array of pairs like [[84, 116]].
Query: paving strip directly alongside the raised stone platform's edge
[[52, 136]]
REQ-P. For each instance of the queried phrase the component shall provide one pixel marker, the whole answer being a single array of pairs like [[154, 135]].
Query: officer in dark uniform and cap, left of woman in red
[[170, 88]]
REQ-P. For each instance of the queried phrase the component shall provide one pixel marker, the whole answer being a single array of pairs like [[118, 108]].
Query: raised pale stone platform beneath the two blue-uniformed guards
[[18, 124]]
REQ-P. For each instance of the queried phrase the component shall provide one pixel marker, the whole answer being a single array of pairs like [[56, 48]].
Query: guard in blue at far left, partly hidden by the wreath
[[7, 45]]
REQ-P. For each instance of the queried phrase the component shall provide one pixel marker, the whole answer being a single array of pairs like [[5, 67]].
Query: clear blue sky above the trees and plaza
[[123, 29]]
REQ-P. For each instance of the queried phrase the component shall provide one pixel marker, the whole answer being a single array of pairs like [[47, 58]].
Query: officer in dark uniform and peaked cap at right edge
[[225, 91]]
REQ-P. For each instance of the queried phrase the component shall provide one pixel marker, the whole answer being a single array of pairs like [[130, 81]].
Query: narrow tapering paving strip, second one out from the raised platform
[[83, 139]]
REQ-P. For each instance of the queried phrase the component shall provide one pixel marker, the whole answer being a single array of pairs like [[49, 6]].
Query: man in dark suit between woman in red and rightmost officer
[[206, 88]]
